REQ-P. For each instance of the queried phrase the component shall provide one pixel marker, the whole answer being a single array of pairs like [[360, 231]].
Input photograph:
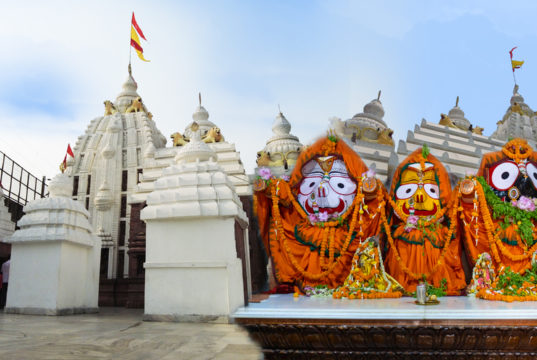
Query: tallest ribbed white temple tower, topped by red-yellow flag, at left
[[109, 158]]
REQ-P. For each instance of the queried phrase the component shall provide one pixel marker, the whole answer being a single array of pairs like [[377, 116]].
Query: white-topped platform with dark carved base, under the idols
[[457, 328]]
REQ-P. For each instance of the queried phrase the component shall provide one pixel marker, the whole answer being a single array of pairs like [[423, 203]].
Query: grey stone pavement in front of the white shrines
[[117, 333]]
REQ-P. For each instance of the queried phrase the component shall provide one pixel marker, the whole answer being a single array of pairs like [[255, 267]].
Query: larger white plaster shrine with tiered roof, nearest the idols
[[194, 219]]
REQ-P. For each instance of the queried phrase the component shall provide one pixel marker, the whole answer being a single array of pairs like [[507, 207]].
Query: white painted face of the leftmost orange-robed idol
[[326, 195]]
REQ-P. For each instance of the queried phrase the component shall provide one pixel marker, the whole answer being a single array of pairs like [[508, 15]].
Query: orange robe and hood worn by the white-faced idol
[[301, 243]]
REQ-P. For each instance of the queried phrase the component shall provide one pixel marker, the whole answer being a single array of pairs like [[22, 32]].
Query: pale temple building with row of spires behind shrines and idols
[[122, 153]]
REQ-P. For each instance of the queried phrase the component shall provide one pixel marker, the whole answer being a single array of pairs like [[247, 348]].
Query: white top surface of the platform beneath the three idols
[[452, 307]]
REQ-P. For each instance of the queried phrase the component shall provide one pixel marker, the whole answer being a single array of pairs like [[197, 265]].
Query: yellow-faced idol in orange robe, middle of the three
[[420, 226]]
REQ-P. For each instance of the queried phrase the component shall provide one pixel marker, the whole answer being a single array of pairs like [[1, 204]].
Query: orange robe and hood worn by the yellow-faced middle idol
[[420, 250]]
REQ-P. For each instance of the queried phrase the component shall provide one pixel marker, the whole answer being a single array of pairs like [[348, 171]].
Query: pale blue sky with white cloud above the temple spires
[[317, 59]]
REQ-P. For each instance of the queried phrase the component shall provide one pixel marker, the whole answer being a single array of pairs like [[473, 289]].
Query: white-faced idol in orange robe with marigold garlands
[[313, 223]]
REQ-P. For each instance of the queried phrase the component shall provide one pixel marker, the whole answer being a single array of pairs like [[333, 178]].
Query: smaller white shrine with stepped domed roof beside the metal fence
[[54, 256]]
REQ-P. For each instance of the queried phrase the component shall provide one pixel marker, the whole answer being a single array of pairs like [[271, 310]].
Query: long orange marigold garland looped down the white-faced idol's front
[[357, 211]]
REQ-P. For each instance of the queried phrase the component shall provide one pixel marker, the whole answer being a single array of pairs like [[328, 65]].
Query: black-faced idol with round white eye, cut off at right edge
[[498, 207]]
